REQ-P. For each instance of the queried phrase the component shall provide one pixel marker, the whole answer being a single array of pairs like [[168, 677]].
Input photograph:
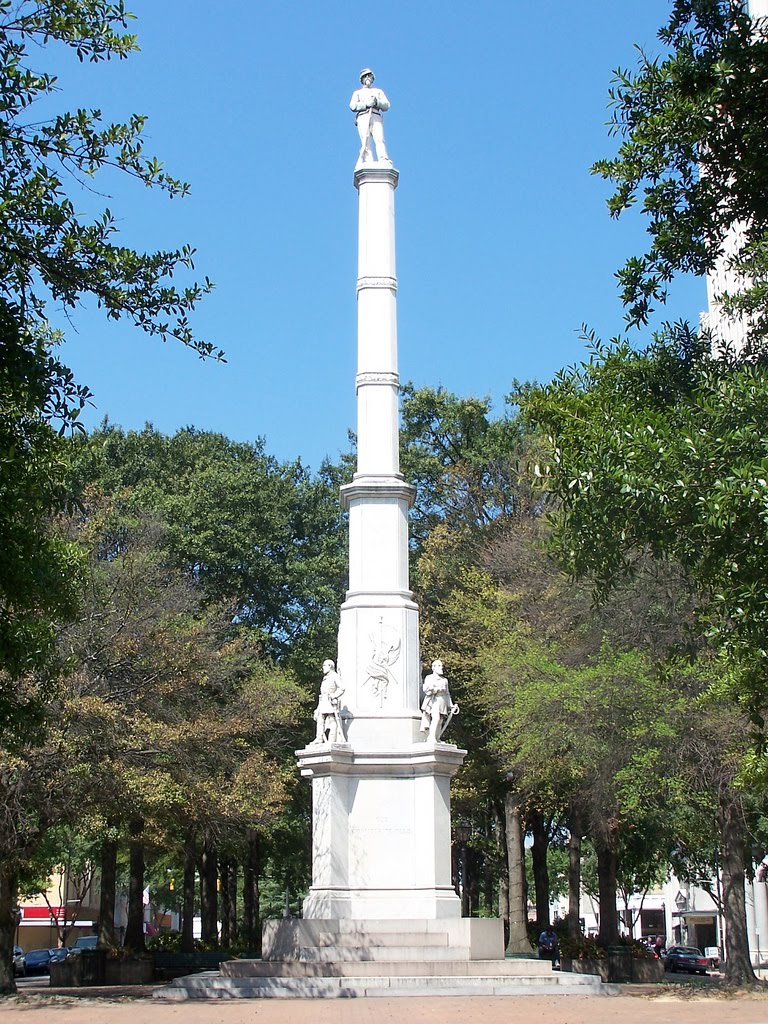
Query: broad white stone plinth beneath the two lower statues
[[381, 832]]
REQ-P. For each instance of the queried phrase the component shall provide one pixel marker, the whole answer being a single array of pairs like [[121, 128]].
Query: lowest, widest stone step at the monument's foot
[[214, 987]]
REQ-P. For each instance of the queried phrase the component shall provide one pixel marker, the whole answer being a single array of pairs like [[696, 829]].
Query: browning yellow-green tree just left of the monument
[[191, 718]]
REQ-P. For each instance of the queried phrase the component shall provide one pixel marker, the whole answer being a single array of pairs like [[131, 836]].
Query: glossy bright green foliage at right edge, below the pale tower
[[663, 451]]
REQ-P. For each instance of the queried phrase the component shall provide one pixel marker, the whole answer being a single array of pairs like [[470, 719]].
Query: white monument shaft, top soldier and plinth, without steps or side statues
[[381, 801]]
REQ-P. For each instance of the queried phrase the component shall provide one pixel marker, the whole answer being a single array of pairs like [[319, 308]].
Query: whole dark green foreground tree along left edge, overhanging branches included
[[50, 252]]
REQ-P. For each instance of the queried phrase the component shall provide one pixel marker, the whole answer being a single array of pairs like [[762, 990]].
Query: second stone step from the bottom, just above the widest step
[[422, 968]]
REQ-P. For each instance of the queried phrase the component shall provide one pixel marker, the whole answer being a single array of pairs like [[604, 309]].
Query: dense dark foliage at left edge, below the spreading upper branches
[[39, 572]]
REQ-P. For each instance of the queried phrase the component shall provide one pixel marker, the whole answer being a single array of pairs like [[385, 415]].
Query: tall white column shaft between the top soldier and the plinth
[[379, 633]]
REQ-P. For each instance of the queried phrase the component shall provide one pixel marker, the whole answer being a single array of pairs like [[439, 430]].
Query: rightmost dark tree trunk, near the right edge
[[739, 969]]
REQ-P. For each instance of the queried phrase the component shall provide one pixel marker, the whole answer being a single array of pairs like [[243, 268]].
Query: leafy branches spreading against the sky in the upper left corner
[[48, 250]]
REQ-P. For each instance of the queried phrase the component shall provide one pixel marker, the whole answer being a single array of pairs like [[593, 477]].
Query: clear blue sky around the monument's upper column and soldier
[[504, 244]]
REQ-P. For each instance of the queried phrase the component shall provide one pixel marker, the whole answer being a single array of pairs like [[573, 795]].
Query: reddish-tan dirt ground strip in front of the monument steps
[[630, 1009]]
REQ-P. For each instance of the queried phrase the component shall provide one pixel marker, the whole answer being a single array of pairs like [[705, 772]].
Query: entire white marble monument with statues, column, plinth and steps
[[381, 918]]
